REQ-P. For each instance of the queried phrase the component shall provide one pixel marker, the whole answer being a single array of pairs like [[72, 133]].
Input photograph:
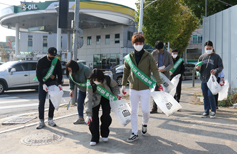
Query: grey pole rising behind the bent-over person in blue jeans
[[76, 35]]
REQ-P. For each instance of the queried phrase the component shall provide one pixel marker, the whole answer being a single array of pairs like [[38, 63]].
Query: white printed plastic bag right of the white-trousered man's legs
[[165, 102]]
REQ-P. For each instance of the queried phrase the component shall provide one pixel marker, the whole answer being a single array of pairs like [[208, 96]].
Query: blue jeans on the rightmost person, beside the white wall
[[209, 99]]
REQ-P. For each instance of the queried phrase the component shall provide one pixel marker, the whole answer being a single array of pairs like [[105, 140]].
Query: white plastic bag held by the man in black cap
[[55, 95]]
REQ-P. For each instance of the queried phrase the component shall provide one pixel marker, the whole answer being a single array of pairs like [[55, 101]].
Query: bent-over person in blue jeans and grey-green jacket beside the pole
[[78, 74]]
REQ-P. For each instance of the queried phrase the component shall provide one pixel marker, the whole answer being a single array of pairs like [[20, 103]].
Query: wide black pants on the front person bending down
[[105, 120]]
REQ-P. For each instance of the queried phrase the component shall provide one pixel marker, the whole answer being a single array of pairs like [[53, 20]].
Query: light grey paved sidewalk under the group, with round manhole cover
[[183, 132]]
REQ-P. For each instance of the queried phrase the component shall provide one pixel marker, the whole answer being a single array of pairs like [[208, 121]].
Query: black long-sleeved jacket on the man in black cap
[[42, 68]]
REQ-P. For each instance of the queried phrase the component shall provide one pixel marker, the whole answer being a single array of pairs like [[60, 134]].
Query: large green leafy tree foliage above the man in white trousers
[[168, 21]]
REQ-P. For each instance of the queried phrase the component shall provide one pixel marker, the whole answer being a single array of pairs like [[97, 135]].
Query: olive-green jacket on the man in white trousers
[[146, 65]]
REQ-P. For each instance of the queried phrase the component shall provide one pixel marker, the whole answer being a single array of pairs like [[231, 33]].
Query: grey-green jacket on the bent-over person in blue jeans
[[80, 77]]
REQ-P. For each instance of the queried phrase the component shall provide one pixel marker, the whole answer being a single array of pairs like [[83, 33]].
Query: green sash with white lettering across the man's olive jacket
[[139, 74]]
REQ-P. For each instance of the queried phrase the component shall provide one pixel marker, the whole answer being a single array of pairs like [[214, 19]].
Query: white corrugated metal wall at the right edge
[[221, 29]]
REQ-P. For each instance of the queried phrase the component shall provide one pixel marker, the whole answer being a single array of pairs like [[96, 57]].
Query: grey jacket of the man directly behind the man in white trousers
[[167, 61]]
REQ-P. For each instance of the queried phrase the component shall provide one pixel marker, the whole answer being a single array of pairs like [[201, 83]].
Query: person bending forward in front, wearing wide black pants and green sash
[[95, 98]]
